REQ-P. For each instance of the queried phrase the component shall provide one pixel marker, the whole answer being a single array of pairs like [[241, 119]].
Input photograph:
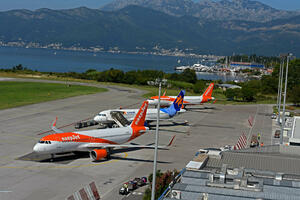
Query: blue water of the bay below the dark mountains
[[51, 60]]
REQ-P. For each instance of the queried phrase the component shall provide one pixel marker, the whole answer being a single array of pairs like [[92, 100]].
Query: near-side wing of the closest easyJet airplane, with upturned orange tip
[[103, 145]]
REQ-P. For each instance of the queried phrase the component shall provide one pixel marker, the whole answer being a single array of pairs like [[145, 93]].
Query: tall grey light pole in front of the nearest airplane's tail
[[156, 145]]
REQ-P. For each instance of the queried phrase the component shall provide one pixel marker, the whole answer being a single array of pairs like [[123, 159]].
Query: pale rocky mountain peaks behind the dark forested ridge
[[247, 10]]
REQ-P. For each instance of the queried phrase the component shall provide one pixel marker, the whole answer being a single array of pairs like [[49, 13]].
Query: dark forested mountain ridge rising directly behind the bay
[[137, 28]]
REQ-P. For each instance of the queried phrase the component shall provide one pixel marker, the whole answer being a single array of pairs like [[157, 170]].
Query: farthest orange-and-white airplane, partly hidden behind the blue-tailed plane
[[188, 100]]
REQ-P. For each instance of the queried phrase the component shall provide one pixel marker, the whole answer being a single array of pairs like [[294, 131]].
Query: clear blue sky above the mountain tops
[[64, 4]]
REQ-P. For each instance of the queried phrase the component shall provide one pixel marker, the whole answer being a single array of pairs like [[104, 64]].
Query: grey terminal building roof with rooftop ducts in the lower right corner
[[269, 172]]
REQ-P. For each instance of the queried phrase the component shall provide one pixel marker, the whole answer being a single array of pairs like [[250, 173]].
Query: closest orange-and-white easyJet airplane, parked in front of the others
[[98, 142]]
